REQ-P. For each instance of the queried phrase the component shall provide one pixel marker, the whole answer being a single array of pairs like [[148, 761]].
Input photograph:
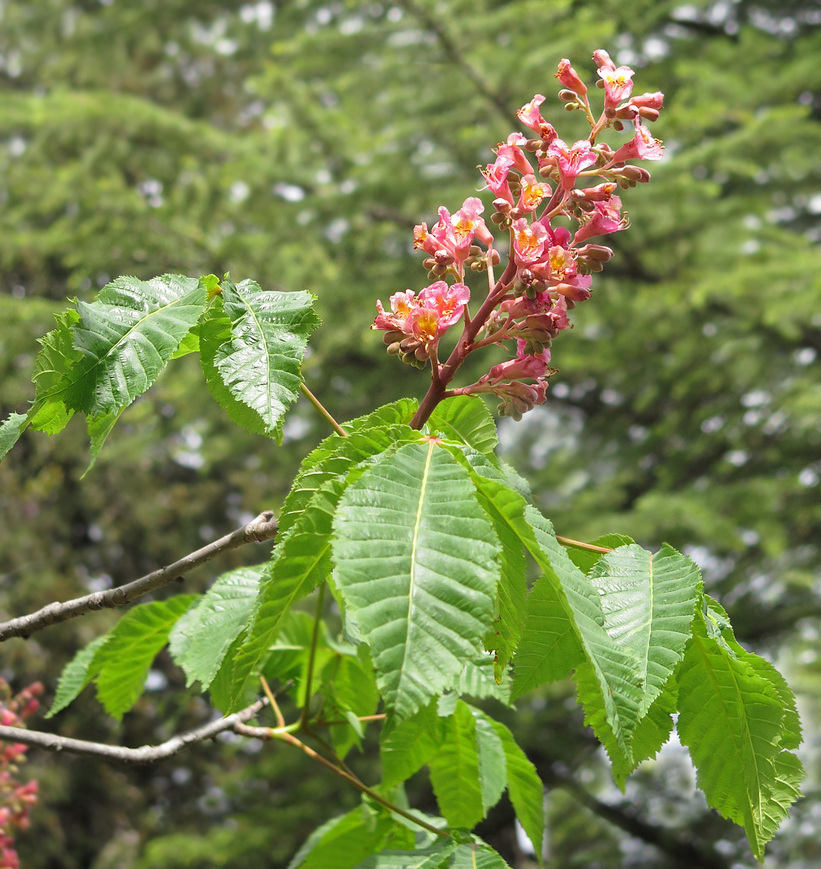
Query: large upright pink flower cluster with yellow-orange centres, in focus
[[550, 199]]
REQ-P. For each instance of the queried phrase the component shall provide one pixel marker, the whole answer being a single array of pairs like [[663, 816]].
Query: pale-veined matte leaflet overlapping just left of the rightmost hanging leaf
[[648, 602]]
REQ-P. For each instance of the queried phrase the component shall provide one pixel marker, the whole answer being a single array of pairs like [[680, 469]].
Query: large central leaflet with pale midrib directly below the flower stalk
[[417, 564]]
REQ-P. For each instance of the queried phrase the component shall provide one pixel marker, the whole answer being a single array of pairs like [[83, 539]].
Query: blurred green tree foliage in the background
[[296, 143]]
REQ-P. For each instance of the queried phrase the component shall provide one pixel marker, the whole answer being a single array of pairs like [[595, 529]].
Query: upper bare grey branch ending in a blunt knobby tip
[[264, 527]]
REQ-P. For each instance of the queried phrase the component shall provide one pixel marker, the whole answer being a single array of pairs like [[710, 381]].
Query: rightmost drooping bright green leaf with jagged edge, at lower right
[[731, 717]]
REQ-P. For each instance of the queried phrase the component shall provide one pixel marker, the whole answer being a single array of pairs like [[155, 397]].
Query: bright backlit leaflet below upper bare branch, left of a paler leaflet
[[122, 662]]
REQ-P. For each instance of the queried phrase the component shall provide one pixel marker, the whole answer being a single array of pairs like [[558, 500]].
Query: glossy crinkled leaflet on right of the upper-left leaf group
[[260, 364]]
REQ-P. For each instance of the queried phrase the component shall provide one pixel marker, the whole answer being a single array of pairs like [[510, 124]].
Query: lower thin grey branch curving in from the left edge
[[144, 754]]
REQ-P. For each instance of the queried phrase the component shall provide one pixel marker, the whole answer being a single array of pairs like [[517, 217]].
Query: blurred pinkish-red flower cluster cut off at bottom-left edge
[[15, 799]]
